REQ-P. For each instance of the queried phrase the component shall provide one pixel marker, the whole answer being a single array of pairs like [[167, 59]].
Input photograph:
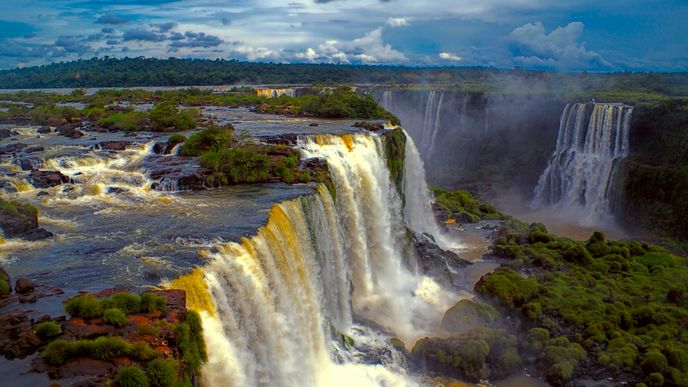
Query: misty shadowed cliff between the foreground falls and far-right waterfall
[[494, 144]]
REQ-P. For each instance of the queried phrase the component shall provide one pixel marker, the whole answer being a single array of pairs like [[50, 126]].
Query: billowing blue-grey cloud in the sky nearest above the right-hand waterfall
[[532, 46]]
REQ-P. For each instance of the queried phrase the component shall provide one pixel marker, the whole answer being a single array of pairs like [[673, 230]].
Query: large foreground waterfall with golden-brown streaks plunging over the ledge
[[319, 268]]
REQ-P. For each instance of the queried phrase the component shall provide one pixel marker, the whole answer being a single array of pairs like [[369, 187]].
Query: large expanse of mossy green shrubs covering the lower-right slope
[[617, 306]]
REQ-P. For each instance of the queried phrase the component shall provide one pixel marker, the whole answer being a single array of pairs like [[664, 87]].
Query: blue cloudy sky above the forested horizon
[[572, 35]]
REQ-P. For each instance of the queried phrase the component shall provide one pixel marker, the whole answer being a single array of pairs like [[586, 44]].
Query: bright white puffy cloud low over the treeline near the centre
[[367, 49]]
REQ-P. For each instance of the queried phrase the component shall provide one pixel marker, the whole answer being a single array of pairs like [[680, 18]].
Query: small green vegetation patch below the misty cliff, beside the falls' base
[[464, 207]]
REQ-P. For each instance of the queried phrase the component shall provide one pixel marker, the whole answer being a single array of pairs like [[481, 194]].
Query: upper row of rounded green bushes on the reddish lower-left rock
[[89, 307]]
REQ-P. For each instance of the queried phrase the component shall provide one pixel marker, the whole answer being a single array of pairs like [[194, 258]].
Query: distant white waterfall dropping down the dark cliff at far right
[[592, 140]]
